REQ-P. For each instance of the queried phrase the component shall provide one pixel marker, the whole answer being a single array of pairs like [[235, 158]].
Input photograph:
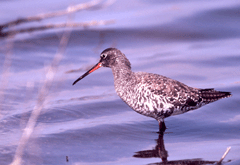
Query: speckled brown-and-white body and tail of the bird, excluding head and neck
[[159, 97]]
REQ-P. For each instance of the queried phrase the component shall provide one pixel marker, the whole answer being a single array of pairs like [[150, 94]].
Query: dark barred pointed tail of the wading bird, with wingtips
[[210, 95]]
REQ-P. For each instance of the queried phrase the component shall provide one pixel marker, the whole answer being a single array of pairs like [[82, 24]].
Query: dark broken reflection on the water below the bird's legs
[[160, 152]]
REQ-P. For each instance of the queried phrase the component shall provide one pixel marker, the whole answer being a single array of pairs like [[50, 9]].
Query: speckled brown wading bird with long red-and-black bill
[[151, 94]]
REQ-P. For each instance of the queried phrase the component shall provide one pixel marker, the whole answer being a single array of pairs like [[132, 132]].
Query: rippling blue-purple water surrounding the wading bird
[[195, 42]]
